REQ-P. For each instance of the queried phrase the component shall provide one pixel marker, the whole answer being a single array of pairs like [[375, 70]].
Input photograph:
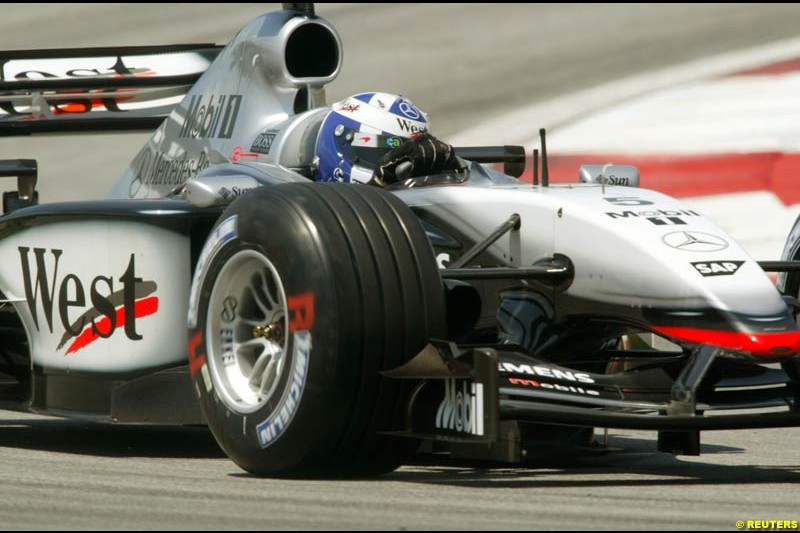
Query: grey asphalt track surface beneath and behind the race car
[[462, 64]]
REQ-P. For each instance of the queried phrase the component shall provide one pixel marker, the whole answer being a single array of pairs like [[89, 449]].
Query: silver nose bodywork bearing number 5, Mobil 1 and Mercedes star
[[625, 243]]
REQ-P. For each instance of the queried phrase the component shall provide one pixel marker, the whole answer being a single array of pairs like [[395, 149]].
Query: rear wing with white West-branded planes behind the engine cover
[[96, 89]]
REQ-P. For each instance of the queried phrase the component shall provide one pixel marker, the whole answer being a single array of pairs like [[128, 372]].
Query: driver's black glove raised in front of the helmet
[[419, 156]]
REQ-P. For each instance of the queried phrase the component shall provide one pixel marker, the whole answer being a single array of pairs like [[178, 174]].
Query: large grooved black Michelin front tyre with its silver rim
[[302, 295]]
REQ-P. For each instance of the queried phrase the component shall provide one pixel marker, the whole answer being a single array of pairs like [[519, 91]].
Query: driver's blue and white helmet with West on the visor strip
[[359, 130]]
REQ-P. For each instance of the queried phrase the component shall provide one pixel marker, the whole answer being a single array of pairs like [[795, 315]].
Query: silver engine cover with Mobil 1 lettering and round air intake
[[248, 94]]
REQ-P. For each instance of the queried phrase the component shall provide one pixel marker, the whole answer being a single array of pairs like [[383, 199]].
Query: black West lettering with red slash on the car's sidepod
[[109, 306]]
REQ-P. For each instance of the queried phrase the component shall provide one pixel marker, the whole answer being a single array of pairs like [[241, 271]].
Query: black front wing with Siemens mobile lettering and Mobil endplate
[[466, 394]]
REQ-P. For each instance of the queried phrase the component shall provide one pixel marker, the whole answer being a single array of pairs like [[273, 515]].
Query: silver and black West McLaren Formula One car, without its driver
[[338, 327]]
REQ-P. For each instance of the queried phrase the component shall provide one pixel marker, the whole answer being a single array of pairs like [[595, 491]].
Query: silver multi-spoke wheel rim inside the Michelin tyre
[[247, 331]]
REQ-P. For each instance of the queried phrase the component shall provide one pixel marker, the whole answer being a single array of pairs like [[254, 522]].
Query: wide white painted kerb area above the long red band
[[723, 115]]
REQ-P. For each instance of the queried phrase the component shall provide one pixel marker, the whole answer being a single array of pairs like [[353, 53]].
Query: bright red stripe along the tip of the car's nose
[[760, 344]]
